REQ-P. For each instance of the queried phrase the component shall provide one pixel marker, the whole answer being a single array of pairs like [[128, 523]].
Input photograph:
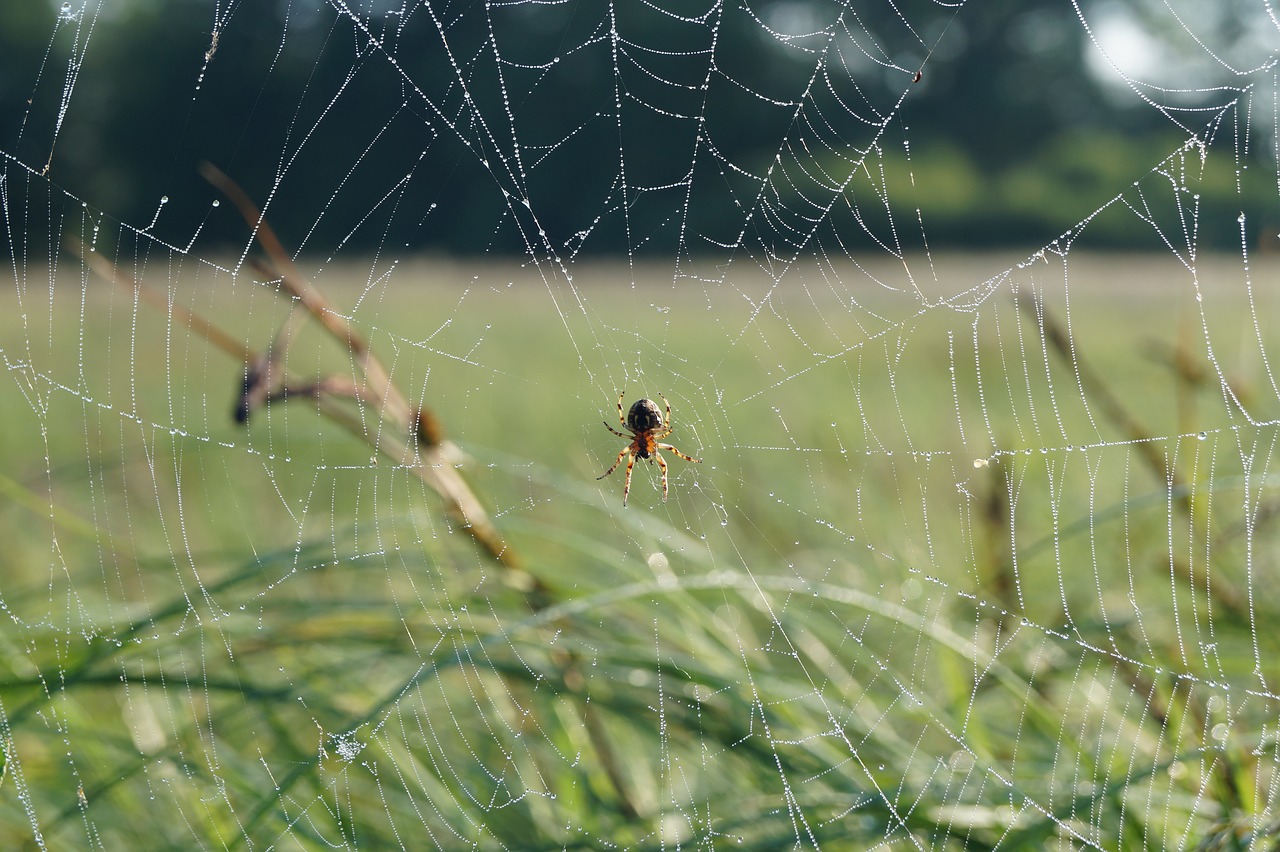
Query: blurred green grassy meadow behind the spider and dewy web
[[830, 635]]
